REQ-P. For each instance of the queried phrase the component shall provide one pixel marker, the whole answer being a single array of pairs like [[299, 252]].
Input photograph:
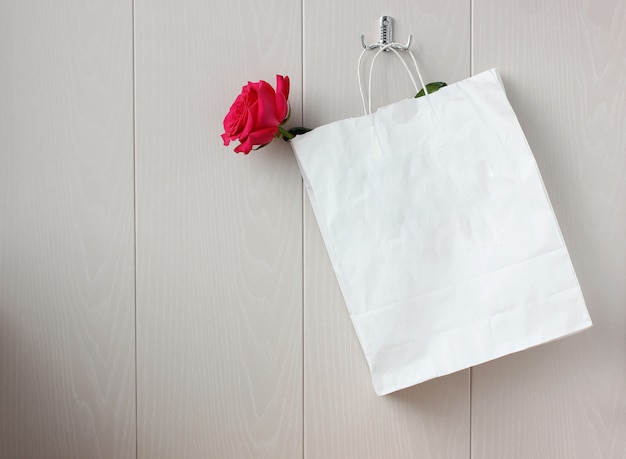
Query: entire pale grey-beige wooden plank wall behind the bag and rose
[[162, 297]]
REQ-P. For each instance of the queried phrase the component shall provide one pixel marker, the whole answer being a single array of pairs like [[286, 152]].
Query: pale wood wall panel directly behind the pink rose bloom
[[219, 257]]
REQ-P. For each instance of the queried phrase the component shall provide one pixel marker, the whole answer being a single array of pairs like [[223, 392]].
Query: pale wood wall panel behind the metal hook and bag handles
[[343, 417]]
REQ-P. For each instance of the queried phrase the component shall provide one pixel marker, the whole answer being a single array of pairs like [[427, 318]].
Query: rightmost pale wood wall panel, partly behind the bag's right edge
[[564, 67]]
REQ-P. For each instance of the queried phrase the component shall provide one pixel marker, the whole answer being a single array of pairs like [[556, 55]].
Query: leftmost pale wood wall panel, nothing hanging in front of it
[[67, 387]]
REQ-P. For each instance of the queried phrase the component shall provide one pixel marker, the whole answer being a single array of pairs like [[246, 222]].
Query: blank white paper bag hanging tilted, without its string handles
[[440, 232]]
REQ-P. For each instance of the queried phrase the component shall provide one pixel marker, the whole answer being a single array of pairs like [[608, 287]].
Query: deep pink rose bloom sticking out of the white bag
[[256, 114]]
